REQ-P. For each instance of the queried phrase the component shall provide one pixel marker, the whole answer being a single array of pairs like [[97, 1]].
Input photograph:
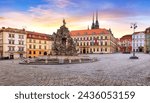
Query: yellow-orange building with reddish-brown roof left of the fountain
[[38, 44]]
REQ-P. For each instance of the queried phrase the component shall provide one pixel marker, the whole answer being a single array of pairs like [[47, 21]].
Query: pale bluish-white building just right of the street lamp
[[138, 41]]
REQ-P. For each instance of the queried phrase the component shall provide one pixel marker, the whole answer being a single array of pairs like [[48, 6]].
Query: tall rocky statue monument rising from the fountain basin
[[63, 43]]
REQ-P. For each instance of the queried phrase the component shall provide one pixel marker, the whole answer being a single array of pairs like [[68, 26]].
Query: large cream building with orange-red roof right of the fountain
[[94, 41]]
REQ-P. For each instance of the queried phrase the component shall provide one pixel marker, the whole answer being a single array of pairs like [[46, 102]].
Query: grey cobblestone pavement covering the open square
[[110, 70]]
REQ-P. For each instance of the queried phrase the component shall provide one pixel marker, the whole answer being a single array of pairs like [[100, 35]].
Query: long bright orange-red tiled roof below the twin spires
[[89, 32]]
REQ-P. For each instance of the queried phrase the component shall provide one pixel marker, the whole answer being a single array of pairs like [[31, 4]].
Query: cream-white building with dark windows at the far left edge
[[12, 43]]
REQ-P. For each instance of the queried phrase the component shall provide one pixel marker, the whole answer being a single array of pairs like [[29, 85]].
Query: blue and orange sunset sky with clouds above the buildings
[[46, 16]]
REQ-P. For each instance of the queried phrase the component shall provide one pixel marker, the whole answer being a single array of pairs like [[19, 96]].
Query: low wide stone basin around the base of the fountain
[[57, 60]]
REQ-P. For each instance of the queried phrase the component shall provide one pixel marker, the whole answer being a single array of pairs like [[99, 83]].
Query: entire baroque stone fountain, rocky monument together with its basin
[[63, 51]]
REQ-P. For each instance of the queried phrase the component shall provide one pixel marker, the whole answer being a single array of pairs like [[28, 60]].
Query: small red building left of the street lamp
[[126, 44]]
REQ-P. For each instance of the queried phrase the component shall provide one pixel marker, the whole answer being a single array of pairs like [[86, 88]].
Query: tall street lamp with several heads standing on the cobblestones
[[133, 26]]
